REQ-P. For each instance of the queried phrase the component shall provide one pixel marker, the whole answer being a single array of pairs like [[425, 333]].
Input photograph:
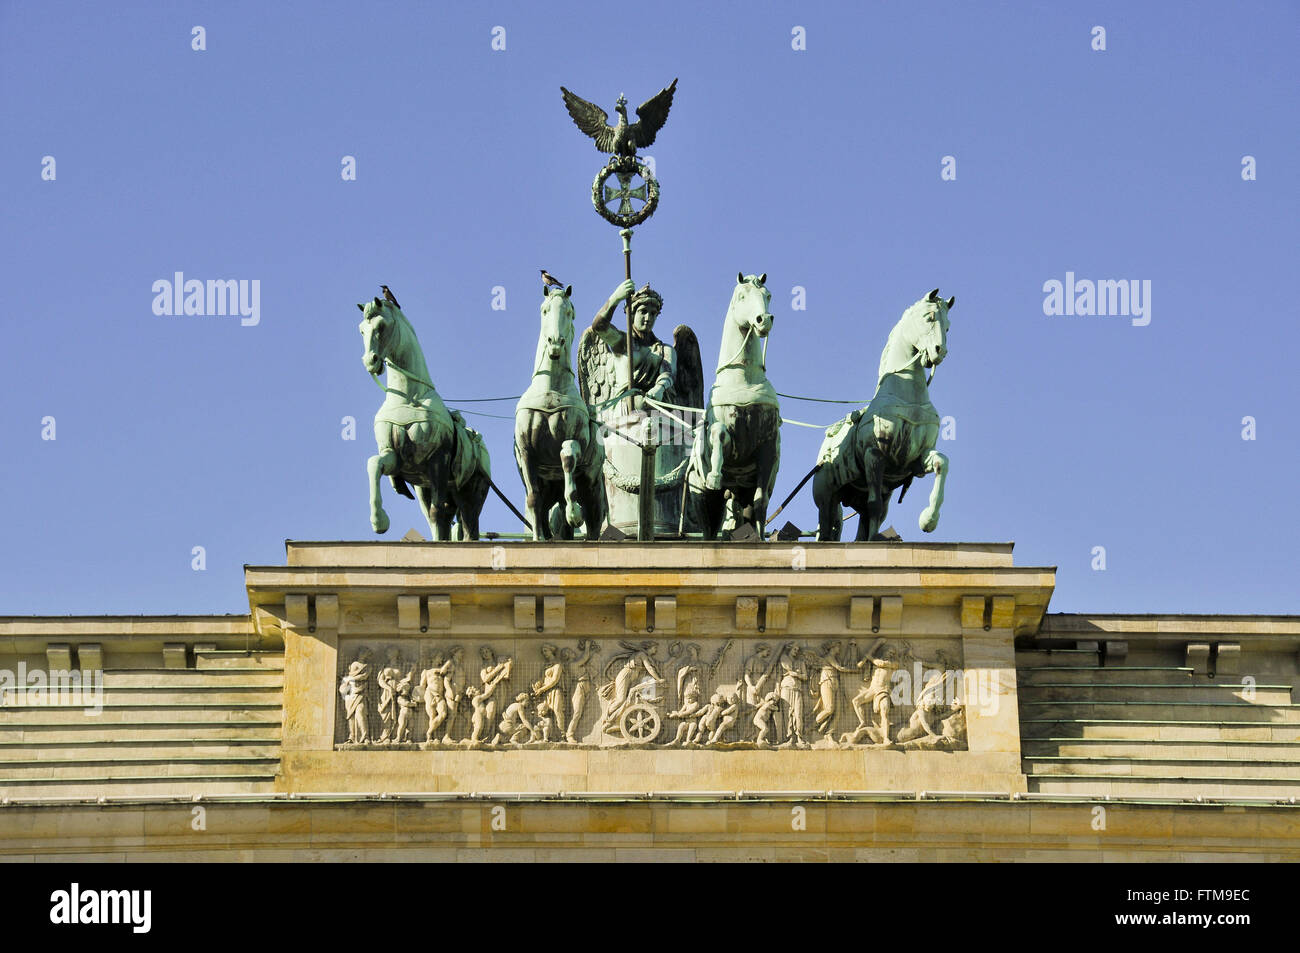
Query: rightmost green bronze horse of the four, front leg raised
[[873, 452]]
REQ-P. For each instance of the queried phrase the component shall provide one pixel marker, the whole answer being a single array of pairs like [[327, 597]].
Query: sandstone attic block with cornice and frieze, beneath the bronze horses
[[691, 668]]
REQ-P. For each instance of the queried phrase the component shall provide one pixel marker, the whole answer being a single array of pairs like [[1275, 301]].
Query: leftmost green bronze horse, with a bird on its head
[[421, 443]]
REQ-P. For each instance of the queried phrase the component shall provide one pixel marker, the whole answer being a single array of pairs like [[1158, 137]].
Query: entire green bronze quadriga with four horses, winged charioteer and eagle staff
[[626, 439]]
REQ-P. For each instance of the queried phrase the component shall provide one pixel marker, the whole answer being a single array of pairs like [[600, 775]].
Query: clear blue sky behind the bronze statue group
[[820, 167]]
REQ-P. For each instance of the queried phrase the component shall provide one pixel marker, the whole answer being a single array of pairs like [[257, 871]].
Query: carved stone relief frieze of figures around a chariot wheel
[[740, 694]]
